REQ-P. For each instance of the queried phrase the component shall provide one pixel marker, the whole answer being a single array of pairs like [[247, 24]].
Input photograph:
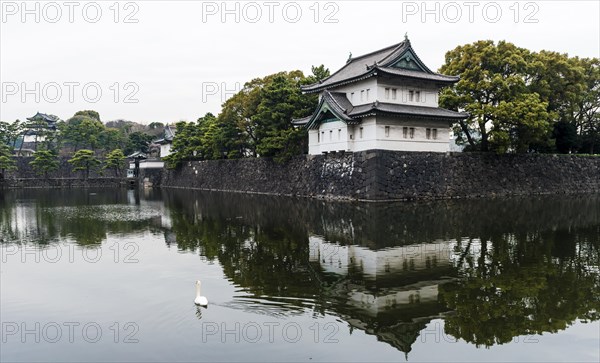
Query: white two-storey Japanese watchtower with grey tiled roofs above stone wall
[[387, 99]]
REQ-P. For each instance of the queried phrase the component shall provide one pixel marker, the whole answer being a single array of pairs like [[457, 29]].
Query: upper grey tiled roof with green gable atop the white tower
[[398, 60]]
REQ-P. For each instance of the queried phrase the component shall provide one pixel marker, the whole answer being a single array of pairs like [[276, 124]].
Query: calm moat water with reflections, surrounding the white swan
[[96, 275]]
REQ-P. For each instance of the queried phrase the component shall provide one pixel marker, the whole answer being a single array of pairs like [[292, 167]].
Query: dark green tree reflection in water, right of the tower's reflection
[[526, 283]]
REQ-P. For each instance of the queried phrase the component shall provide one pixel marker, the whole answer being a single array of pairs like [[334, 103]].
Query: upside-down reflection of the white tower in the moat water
[[391, 293]]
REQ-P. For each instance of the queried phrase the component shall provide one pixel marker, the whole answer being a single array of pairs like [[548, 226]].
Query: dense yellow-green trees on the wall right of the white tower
[[523, 101]]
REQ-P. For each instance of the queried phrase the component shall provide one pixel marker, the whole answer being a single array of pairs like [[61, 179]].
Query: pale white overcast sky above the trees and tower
[[181, 60]]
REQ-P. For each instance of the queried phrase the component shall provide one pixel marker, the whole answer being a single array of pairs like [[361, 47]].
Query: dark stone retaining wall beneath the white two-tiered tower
[[378, 175]]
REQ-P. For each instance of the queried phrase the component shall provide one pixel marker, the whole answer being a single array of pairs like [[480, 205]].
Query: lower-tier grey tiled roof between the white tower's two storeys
[[337, 104]]
